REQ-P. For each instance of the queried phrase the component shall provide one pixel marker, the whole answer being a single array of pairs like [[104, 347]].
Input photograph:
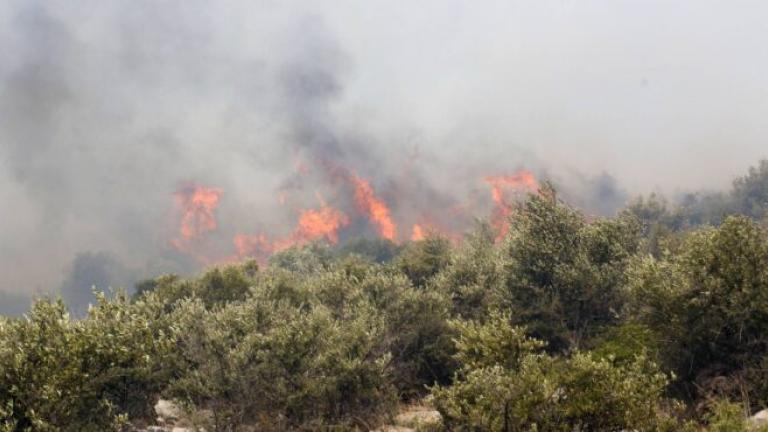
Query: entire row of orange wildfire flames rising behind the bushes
[[198, 206]]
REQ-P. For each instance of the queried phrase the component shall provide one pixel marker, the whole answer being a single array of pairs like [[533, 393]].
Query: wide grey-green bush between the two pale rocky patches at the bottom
[[272, 365]]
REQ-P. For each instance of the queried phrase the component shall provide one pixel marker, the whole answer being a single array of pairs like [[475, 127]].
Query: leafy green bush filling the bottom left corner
[[92, 374]]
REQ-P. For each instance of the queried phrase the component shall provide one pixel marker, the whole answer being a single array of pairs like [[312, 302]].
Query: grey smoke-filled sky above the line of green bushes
[[111, 113]]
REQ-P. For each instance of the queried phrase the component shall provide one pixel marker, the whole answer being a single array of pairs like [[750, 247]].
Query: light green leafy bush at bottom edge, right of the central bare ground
[[506, 384]]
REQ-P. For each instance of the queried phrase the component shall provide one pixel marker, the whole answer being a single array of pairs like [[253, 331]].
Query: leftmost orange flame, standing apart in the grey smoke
[[197, 204]]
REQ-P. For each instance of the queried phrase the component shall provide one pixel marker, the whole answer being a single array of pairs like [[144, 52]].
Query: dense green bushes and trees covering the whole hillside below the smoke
[[647, 321]]
